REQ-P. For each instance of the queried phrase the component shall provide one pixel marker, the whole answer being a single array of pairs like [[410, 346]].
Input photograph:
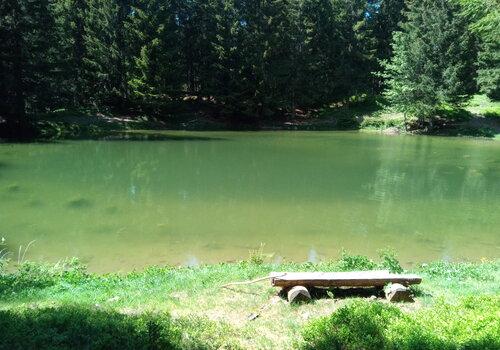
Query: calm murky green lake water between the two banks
[[189, 198]]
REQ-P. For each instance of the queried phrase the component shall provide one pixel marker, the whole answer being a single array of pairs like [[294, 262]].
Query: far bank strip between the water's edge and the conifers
[[479, 118]]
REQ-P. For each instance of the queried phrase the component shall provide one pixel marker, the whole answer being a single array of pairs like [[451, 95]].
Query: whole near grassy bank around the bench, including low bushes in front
[[63, 306]]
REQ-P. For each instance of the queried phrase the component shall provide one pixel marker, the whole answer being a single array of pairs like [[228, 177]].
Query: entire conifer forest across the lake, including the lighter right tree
[[243, 59]]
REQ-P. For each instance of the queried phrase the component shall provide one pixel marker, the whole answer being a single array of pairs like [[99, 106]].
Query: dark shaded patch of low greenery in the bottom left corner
[[72, 327]]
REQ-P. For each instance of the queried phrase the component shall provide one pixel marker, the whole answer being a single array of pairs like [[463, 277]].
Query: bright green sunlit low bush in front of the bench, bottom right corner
[[473, 323]]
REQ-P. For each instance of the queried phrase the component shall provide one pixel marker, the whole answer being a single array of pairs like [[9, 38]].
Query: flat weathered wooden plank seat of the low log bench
[[341, 279]]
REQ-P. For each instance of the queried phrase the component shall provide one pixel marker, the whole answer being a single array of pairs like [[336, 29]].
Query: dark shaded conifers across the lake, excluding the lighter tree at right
[[233, 57]]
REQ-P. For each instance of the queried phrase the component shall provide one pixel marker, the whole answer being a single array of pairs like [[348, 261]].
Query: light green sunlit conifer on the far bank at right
[[433, 59]]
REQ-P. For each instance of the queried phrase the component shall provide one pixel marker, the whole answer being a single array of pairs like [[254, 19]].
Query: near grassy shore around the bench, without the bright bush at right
[[187, 308]]
